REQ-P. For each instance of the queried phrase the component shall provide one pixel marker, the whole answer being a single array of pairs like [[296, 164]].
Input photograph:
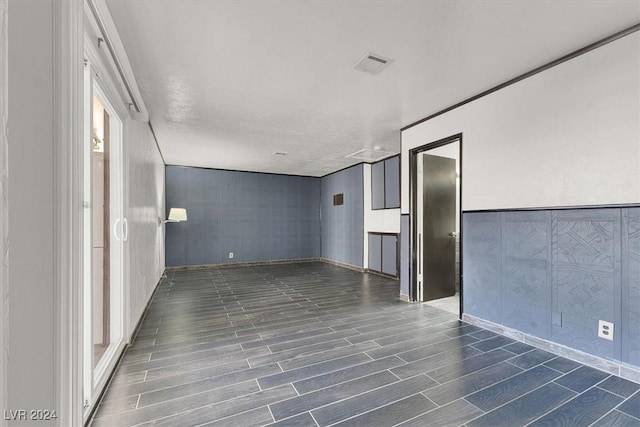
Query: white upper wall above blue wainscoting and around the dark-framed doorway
[[568, 136]]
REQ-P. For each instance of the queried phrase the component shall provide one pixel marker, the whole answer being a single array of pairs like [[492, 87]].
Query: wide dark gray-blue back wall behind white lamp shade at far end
[[258, 217]]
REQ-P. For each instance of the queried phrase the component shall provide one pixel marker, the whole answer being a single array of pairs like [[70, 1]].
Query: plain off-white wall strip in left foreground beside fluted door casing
[[31, 376]]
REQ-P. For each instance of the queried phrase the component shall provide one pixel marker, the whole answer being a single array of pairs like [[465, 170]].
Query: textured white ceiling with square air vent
[[228, 83]]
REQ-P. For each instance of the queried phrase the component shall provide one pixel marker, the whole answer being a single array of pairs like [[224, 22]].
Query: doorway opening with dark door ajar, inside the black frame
[[435, 200]]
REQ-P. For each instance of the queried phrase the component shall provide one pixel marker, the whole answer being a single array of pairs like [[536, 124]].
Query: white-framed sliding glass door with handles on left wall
[[104, 233]]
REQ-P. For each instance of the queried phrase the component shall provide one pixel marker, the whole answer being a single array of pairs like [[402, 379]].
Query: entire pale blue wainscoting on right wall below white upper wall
[[554, 274]]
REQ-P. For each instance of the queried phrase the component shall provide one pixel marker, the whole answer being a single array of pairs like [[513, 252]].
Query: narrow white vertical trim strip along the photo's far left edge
[[4, 206]]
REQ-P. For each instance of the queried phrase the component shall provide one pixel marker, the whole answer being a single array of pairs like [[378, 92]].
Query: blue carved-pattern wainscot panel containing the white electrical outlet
[[587, 278]]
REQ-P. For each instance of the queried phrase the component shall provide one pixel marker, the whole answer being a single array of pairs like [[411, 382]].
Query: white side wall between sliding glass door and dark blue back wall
[[145, 204]]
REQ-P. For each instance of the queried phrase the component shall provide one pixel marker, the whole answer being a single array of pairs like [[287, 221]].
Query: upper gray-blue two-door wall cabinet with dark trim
[[385, 184]]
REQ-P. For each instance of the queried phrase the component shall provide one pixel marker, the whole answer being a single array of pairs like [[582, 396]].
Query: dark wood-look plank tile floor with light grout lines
[[312, 344]]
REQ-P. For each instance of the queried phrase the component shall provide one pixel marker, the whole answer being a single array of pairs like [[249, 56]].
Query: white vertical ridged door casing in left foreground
[[68, 74]]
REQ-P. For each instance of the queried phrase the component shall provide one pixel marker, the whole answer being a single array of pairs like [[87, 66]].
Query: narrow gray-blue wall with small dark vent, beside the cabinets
[[343, 225]]
